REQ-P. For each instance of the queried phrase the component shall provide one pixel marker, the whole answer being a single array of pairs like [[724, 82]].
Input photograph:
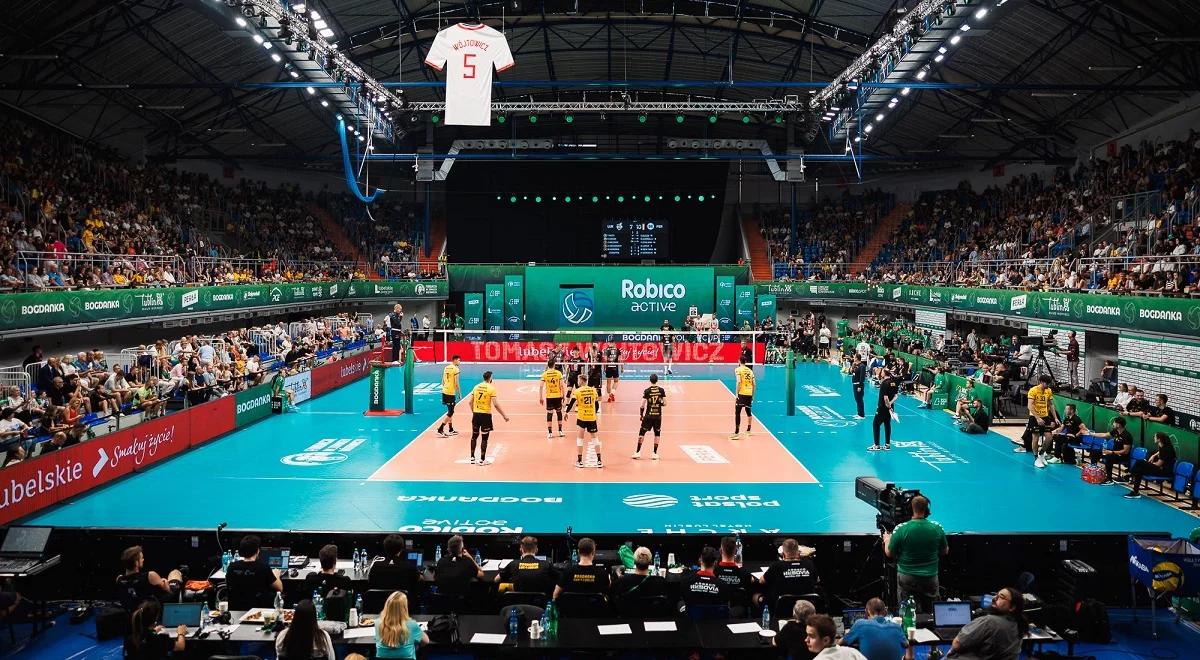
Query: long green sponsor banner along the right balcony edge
[[1175, 316]]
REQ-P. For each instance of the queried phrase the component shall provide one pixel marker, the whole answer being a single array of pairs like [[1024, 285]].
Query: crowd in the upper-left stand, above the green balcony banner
[[76, 217]]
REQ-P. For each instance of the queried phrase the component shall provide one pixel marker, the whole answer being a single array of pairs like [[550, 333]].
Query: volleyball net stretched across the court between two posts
[[635, 347]]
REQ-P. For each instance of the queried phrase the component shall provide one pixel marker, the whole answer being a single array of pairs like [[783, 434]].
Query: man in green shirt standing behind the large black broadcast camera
[[917, 547]]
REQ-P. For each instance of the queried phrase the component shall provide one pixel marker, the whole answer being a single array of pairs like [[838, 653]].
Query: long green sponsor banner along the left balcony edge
[[44, 310]]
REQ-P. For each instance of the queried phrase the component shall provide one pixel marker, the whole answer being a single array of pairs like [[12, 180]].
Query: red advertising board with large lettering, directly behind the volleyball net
[[631, 352]]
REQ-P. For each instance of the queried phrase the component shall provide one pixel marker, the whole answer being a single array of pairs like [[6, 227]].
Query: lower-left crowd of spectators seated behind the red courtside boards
[[75, 393]]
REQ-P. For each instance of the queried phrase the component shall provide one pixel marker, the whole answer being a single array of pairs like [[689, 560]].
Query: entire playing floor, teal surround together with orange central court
[[321, 469]]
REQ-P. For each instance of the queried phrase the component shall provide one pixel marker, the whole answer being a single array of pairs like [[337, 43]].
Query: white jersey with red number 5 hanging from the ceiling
[[469, 53]]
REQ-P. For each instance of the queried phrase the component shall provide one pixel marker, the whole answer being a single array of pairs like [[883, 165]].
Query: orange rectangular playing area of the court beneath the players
[[695, 447]]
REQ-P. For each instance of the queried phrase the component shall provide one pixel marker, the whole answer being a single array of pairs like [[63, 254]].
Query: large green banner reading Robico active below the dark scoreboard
[[625, 297]]
